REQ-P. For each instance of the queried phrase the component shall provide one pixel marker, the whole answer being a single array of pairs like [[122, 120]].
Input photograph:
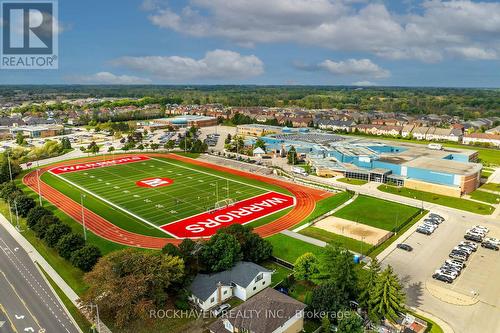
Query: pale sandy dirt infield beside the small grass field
[[354, 230]]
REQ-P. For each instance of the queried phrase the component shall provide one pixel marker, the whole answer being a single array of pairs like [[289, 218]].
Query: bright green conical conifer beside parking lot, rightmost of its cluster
[[388, 298]]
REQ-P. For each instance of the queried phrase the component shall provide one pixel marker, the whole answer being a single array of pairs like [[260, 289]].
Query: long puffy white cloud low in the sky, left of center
[[215, 65]]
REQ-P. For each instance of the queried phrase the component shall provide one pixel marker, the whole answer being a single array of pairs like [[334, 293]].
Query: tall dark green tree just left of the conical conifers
[[337, 265]]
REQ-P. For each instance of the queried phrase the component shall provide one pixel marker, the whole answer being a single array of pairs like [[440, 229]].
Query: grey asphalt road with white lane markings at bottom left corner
[[27, 303]]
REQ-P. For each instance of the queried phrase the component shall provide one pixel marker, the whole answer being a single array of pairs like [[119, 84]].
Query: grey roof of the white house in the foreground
[[242, 274]]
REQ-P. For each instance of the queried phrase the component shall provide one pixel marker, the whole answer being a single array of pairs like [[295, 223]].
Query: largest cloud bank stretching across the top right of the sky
[[435, 29]]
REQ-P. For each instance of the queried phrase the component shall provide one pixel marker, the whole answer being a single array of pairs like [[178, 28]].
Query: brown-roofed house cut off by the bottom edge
[[271, 312]]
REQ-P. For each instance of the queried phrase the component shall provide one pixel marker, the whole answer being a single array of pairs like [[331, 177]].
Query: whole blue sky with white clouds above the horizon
[[325, 42]]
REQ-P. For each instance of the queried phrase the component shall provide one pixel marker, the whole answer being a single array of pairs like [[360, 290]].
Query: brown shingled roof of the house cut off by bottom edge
[[262, 307]]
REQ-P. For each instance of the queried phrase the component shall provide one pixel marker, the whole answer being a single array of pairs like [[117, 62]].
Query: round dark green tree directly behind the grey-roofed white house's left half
[[221, 252]]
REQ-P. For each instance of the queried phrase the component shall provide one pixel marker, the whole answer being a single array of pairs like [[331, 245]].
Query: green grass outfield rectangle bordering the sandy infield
[[375, 212]]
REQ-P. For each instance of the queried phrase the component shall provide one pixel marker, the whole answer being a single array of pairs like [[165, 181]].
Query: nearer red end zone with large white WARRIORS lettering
[[242, 212]]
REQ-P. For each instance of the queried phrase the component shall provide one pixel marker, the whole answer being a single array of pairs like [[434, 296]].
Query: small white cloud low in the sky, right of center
[[361, 67]]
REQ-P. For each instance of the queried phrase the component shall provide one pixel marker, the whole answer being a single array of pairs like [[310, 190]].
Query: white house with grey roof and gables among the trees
[[243, 281]]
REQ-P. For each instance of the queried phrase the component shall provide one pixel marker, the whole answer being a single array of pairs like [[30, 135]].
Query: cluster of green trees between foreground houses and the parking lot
[[338, 281]]
